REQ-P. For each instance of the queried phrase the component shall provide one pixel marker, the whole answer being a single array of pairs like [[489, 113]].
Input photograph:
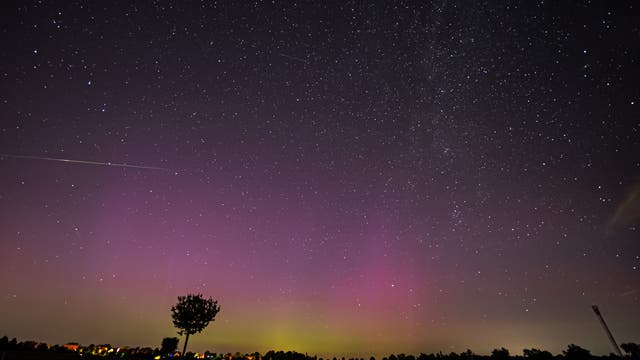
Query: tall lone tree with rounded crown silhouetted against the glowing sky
[[192, 314]]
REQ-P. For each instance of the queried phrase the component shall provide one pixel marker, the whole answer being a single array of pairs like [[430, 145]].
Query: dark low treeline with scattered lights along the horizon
[[26, 350]]
